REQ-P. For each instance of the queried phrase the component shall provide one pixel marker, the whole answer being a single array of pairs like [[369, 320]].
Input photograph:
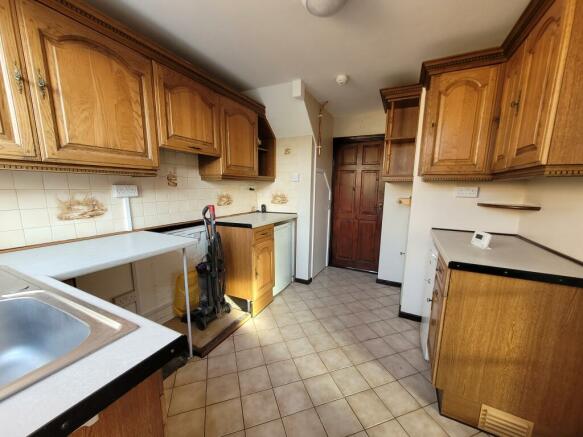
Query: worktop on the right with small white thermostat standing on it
[[506, 251]]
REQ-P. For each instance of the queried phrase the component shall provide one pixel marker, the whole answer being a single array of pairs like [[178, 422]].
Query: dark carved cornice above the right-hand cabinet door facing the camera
[[479, 58]]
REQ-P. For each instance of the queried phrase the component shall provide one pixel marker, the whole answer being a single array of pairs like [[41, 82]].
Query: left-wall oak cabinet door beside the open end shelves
[[239, 137]]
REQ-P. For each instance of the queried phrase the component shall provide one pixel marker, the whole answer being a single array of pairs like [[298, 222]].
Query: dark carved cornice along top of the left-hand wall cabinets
[[97, 20]]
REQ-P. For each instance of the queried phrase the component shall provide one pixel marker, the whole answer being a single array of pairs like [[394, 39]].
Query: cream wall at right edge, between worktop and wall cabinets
[[559, 224]]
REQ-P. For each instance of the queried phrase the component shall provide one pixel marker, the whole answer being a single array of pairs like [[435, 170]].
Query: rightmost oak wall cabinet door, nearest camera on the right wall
[[538, 89]]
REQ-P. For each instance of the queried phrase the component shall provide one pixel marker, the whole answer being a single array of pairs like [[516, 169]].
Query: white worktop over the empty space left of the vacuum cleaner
[[69, 260]]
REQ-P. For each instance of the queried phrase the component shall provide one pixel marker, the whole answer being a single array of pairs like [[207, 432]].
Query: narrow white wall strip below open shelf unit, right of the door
[[394, 232]]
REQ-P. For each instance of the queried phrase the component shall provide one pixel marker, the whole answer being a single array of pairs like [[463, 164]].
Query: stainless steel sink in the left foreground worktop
[[43, 330]]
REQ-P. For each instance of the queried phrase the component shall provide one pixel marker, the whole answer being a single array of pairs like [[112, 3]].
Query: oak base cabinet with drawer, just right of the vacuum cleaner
[[250, 264]]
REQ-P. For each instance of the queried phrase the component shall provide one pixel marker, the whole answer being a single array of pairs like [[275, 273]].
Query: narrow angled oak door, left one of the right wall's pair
[[510, 101]]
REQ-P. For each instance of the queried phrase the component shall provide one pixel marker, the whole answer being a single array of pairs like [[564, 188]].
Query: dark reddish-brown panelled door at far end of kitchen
[[357, 205]]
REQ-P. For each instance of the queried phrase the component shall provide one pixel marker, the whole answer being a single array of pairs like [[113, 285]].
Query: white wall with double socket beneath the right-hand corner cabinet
[[434, 205]]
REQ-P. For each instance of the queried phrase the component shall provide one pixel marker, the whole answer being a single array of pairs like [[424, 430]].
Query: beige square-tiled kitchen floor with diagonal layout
[[328, 359]]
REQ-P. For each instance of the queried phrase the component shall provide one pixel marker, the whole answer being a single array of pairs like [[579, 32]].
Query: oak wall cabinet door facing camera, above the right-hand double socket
[[458, 122]]
